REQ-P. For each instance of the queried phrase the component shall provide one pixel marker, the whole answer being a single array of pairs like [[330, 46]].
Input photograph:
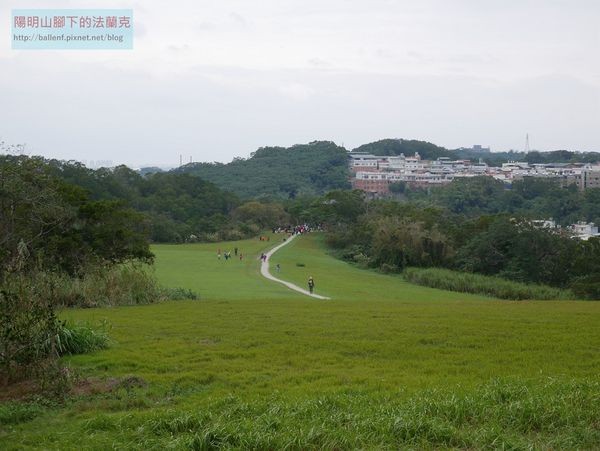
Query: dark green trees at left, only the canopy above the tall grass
[[48, 223]]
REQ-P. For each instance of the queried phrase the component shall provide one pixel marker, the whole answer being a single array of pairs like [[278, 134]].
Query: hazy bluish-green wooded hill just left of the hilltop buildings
[[313, 168]]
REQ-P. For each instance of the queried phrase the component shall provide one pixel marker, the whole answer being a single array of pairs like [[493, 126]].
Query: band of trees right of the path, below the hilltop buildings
[[391, 236]]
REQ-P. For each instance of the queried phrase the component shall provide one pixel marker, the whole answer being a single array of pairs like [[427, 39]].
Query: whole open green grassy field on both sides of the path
[[383, 364]]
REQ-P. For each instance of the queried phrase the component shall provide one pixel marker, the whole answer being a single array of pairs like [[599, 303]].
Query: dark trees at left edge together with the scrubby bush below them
[[52, 230]]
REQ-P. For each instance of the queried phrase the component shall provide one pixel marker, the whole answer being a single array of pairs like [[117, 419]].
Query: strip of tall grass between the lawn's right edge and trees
[[445, 279]]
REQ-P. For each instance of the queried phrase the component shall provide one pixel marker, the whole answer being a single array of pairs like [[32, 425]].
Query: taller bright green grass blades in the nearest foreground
[[503, 414]]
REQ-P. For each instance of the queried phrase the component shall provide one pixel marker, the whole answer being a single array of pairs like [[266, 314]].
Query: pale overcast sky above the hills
[[218, 79]]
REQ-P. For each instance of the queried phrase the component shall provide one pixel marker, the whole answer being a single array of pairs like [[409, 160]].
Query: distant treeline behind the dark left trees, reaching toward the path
[[172, 206]]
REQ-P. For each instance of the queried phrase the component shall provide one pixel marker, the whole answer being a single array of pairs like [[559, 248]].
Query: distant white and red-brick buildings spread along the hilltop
[[374, 174]]
